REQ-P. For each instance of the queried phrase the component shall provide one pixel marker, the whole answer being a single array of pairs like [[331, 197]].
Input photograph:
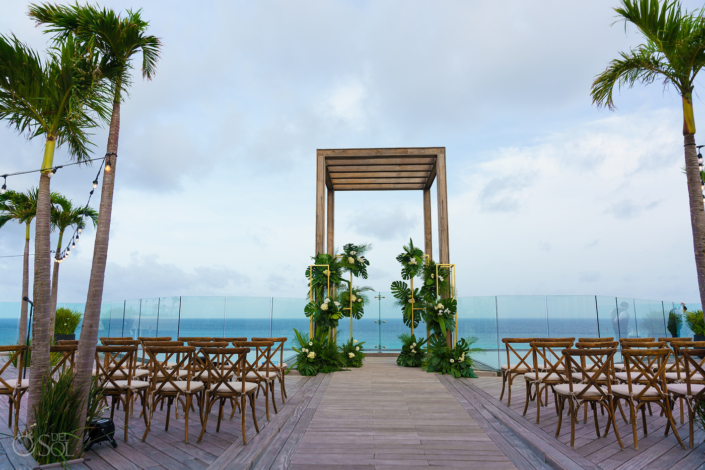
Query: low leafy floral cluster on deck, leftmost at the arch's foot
[[317, 354]]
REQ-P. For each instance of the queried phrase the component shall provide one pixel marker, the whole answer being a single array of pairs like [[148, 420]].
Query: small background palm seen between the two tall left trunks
[[63, 216]]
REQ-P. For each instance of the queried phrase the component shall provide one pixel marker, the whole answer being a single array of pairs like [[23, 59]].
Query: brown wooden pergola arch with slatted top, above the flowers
[[381, 169]]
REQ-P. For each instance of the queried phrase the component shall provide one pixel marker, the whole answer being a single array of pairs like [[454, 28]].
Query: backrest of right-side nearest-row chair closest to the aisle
[[603, 358]]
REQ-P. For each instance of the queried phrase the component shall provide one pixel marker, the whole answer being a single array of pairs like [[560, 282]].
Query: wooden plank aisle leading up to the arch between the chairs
[[383, 416]]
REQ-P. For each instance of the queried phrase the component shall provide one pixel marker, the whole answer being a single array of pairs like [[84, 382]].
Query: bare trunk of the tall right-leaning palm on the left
[[91, 316]]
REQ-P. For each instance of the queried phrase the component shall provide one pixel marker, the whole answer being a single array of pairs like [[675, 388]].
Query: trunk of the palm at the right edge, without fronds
[[695, 192]]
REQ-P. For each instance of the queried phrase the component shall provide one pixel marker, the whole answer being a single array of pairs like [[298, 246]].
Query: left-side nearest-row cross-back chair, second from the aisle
[[170, 386]]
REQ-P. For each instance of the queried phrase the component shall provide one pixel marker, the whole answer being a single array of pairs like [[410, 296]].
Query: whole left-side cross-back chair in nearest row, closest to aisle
[[222, 365]]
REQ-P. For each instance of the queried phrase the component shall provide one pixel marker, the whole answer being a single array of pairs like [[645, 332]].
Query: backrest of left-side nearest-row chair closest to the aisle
[[222, 364]]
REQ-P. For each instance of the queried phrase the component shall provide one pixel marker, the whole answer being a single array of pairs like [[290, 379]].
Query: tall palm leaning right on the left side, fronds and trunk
[[118, 40]]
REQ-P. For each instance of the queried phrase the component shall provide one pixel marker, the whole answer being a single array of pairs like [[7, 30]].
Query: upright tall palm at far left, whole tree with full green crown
[[58, 99]]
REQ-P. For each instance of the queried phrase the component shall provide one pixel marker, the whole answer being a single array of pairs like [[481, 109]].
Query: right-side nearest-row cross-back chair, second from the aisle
[[651, 387]]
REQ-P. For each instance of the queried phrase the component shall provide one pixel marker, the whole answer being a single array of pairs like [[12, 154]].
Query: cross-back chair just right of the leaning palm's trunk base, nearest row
[[114, 372]]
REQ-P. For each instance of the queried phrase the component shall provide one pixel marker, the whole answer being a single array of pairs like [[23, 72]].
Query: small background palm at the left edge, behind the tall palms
[[21, 207]]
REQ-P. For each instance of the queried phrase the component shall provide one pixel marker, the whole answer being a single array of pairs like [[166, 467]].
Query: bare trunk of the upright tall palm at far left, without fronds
[[41, 335]]
